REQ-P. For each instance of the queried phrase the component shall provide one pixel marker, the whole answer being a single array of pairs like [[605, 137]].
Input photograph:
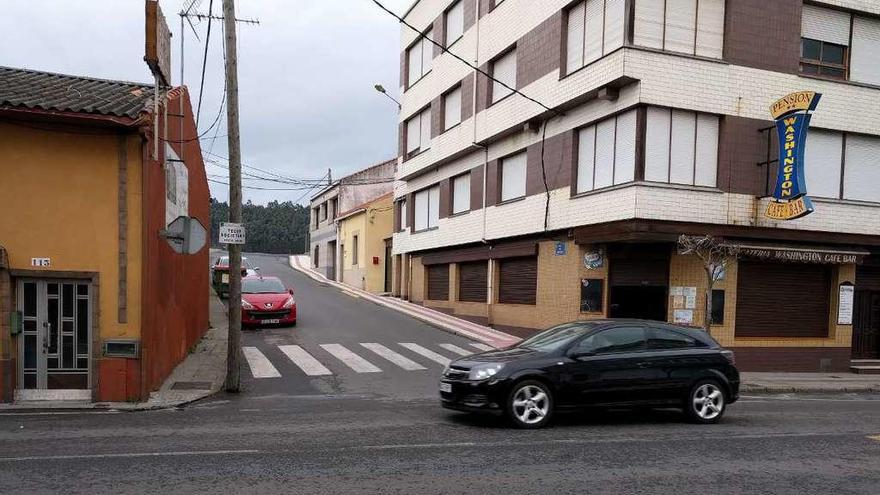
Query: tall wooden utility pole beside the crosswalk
[[233, 356]]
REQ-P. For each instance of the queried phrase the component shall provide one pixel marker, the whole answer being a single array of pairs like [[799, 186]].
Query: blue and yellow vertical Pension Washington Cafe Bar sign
[[792, 115]]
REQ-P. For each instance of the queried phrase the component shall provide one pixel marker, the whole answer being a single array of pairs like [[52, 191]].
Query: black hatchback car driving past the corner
[[596, 363]]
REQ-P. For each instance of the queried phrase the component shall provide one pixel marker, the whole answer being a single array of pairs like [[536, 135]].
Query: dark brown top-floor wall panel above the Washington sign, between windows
[[764, 35]]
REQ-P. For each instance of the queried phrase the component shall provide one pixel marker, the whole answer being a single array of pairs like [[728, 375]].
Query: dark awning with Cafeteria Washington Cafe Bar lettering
[[800, 253]]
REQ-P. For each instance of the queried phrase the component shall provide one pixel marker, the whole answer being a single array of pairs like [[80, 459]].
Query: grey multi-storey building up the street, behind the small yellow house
[[342, 196]]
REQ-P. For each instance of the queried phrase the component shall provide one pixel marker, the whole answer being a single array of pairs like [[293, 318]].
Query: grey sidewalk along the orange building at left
[[200, 375]]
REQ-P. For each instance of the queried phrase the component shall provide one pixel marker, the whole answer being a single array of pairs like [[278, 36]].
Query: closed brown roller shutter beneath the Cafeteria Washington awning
[[782, 300]]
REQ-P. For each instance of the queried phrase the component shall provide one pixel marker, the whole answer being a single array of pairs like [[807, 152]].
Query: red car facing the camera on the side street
[[265, 301]]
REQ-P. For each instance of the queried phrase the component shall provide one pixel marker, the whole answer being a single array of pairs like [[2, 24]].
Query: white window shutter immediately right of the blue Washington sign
[[822, 163]]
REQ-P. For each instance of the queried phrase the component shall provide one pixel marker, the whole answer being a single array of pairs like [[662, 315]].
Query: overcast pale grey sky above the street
[[306, 73]]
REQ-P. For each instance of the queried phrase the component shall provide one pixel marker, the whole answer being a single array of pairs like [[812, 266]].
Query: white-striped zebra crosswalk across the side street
[[370, 357]]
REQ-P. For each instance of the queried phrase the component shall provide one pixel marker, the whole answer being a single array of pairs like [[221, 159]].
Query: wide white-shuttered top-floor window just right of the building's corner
[[694, 27]]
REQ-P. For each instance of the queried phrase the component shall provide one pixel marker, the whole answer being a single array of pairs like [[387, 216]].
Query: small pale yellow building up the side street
[[365, 233]]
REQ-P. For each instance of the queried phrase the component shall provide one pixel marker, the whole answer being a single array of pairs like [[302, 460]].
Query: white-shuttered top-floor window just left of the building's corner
[[595, 29]]
